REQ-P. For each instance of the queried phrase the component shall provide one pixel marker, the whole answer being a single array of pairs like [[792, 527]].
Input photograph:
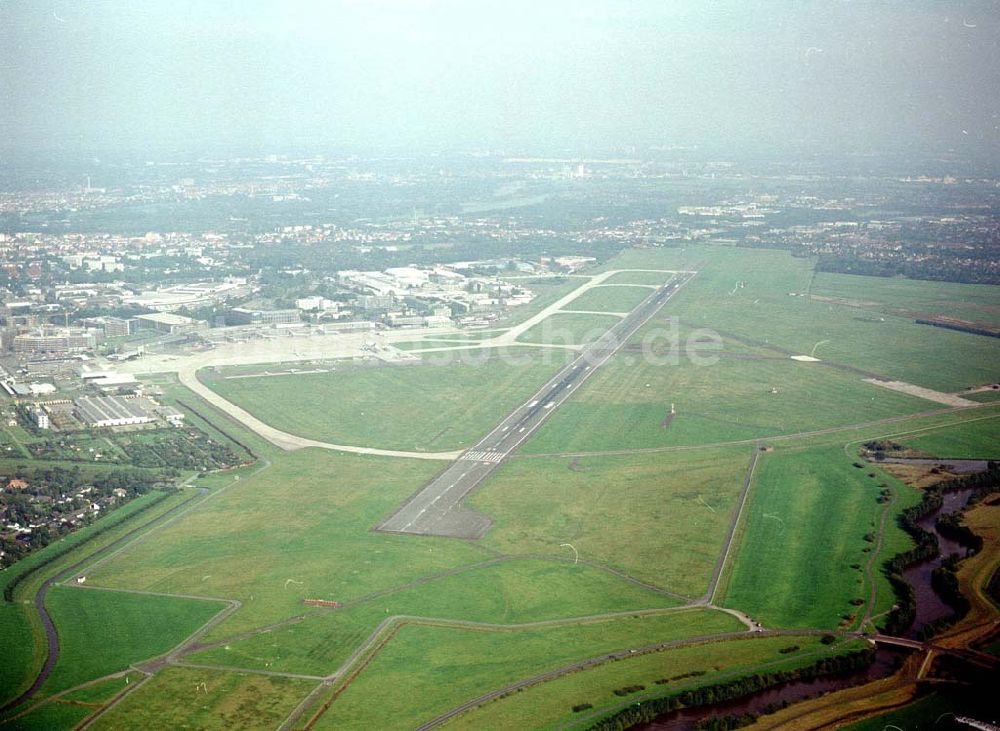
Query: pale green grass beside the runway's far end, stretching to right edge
[[763, 309]]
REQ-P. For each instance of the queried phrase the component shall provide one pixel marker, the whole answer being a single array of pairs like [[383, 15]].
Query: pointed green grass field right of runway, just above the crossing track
[[624, 404]]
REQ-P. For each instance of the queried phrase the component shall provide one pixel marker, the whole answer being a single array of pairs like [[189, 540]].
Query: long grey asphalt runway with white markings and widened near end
[[437, 510]]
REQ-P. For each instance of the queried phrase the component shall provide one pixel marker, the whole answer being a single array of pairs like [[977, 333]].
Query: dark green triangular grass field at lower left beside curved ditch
[[103, 632]]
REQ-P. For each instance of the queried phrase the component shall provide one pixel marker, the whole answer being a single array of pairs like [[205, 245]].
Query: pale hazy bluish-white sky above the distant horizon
[[826, 75]]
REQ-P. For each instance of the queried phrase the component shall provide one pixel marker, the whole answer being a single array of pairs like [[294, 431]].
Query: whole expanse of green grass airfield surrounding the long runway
[[608, 522]]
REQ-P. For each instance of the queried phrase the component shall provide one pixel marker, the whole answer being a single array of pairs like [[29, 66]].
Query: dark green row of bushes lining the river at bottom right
[[738, 687]]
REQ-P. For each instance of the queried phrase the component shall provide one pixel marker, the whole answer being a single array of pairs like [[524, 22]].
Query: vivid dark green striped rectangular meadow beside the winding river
[[805, 529]]
